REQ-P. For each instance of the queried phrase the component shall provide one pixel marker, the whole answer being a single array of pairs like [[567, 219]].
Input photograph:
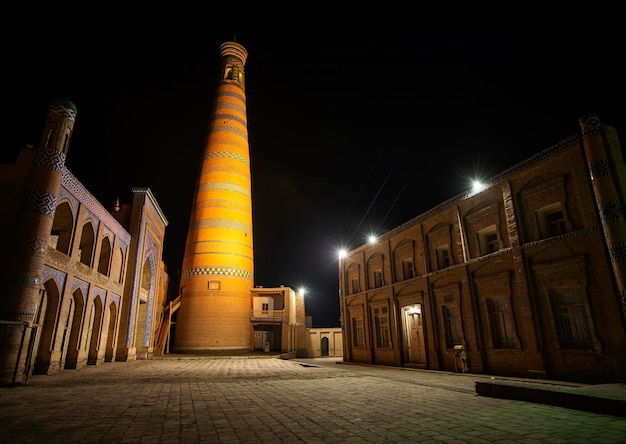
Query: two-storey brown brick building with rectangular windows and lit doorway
[[525, 277]]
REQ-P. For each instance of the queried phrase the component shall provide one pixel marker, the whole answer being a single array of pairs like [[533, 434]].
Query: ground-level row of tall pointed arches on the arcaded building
[[80, 327]]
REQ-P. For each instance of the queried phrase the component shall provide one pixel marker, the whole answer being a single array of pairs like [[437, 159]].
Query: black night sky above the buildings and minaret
[[357, 121]]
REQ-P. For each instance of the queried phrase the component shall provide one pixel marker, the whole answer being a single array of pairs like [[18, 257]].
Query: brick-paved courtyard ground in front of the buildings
[[266, 400]]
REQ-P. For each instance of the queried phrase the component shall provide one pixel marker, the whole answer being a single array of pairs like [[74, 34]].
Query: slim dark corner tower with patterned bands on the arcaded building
[[23, 260]]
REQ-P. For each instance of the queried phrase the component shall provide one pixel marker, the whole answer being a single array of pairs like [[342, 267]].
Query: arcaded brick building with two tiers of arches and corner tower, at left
[[79, 284]]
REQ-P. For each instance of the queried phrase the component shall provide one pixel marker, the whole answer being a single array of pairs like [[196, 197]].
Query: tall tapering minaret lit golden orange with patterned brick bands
[[218, 266]]
